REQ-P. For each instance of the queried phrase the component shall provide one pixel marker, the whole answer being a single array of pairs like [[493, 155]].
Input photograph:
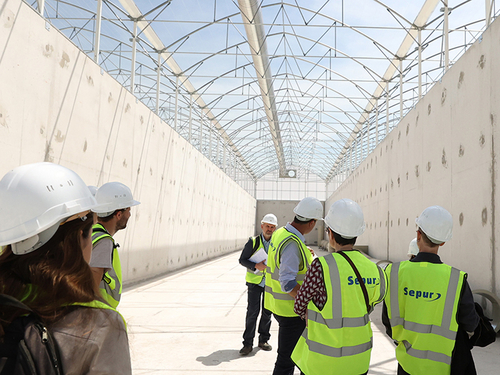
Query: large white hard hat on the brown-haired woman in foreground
[[35, 199]]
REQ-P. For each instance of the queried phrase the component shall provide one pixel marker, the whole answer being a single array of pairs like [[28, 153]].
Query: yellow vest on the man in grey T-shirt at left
[[111, 283]]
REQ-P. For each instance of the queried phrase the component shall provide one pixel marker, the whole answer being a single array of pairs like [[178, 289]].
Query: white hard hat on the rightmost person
[[436, 223]]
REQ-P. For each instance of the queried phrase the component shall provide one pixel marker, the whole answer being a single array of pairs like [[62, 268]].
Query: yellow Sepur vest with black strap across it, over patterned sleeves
[[338, 339]]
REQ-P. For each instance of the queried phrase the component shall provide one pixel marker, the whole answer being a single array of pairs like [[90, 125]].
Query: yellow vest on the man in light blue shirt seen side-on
[[275, 299]]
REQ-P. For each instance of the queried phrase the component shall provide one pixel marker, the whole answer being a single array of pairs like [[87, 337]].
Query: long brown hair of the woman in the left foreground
[[52, 277]]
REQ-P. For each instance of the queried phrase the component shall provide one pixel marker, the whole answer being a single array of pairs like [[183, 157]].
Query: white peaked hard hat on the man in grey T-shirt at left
[[113, 196]]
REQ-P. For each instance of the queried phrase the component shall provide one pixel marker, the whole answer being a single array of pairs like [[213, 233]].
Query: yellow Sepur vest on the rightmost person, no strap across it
[[422, 304]]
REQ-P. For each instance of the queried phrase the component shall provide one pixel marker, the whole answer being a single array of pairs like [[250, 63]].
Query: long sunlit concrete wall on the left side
[[57, 105]]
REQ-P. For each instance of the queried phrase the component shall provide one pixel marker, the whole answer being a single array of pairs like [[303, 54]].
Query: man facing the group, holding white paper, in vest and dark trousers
[[254, 257]]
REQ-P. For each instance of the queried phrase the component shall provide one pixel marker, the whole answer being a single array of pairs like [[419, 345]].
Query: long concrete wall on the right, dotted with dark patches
[[443, 152]]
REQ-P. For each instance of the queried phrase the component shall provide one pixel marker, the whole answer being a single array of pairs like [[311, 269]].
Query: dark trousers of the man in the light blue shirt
[[290, 330]]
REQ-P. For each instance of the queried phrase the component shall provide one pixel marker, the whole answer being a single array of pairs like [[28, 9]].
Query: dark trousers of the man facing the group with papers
[[255, 301]]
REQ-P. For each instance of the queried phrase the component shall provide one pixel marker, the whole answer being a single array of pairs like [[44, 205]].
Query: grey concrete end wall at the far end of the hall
[[284, 212]]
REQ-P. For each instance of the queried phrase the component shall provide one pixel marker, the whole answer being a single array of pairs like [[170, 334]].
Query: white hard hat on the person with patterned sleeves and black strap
[[345, 218]]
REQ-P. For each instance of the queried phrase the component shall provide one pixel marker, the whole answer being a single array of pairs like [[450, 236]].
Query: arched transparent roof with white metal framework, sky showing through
[[279, 84]]
